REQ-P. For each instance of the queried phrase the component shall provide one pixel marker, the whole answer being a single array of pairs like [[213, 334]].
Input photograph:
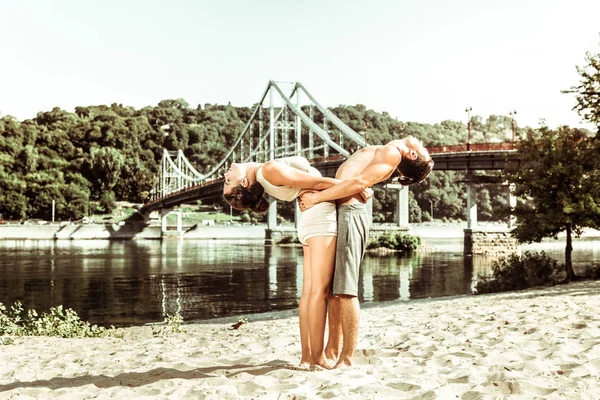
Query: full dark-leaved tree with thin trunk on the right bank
[[557, 186]]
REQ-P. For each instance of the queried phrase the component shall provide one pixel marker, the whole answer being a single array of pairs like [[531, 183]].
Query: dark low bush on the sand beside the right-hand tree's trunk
[[517, 272]]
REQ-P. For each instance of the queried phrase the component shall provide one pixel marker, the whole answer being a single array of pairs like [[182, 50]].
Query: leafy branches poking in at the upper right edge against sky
[[588, 90]]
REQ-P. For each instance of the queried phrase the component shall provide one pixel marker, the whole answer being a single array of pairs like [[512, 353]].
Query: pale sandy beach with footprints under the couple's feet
[[535, 344]]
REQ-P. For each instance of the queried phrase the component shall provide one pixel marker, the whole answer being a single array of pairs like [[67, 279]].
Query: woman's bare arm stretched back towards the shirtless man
[[280, 174]]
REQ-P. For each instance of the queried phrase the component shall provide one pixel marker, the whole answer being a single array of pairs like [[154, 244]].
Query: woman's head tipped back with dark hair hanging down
[[240, 193]]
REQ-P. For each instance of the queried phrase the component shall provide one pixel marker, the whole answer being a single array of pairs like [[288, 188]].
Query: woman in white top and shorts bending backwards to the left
[[244, 188]]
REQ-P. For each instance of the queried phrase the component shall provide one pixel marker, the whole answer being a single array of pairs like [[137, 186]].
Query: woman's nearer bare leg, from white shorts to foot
[[322, 260]]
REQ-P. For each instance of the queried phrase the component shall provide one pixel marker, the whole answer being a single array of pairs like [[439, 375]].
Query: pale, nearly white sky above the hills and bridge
[[422, 61]]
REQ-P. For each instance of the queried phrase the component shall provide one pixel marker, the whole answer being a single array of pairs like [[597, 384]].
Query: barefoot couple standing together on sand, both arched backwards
[[333, 230]]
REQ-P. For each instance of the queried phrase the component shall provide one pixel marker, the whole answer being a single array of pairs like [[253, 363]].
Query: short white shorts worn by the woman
[[319, 220]]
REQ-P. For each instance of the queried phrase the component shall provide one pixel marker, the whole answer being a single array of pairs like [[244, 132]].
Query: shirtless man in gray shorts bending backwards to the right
[[365, 168]]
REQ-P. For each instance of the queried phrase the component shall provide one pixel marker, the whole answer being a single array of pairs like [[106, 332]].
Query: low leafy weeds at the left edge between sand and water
[[14, 321]]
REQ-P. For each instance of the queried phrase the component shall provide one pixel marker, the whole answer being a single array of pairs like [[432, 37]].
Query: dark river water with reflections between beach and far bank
[[134, 282]]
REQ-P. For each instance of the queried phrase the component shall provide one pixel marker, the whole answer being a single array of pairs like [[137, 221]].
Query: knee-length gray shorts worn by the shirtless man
[[353, 232]]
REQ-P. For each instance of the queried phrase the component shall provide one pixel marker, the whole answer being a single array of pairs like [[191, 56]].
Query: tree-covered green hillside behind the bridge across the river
[[88, 159]]
